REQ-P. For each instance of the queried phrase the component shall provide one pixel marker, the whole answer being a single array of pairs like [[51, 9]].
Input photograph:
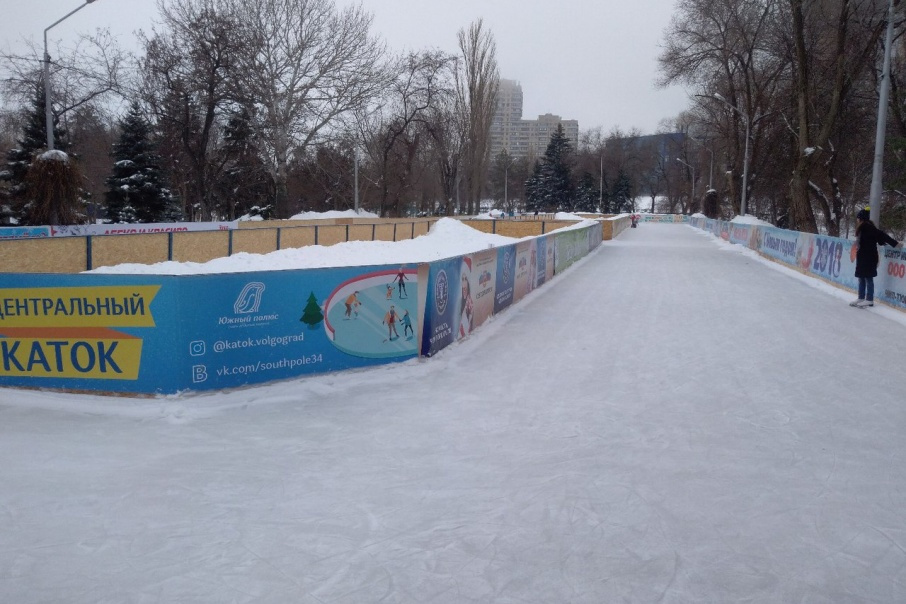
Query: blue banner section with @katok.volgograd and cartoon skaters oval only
[[245, 328]]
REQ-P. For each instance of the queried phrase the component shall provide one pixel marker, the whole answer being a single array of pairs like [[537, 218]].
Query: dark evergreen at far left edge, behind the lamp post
[[20, 159]]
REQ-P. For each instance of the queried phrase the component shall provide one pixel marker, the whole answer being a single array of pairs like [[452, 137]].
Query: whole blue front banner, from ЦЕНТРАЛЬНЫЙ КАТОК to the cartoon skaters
[[121, 333]]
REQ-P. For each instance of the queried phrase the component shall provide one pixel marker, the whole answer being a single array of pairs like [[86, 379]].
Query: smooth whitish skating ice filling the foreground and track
[[673, 419]]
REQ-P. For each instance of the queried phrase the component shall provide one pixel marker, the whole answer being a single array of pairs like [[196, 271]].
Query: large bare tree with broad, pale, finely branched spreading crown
[[304, 65]]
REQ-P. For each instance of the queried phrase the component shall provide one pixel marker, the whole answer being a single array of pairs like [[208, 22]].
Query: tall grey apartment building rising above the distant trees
[[524, 138]]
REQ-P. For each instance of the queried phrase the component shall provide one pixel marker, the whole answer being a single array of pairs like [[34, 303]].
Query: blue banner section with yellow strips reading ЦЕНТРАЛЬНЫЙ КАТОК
[[89, 332]]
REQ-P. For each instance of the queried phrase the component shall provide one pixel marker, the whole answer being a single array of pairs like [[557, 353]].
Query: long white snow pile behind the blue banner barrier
[[448, 237]]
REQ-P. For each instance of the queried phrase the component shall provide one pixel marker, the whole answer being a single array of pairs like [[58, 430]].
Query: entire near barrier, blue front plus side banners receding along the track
[[154, 334]]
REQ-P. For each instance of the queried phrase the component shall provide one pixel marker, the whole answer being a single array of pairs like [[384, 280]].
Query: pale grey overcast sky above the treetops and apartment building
[[590, 60]]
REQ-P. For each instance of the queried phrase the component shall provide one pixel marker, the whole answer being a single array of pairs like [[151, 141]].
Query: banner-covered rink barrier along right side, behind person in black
[[832, 259]]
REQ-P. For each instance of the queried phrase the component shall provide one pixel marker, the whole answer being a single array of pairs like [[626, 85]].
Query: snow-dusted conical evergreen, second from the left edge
[[135, 189]]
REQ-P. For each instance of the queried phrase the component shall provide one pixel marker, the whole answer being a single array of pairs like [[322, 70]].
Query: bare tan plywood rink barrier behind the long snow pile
[[78, 248]]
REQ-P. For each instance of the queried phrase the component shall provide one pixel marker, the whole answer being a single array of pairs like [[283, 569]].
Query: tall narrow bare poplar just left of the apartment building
[[477, 83]]
